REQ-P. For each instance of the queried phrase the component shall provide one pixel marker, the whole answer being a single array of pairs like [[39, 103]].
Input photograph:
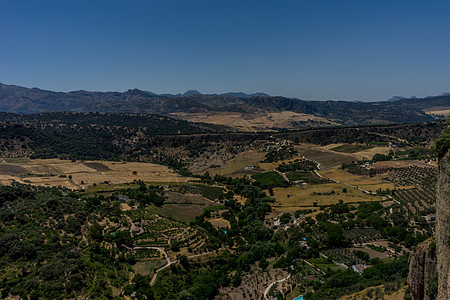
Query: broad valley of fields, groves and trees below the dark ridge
[[251, 208]]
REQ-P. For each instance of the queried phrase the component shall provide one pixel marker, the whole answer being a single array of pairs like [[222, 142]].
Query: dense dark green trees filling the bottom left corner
[[42, 253]]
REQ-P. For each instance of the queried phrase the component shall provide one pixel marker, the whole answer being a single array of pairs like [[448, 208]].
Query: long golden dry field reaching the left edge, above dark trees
[[56, 172]]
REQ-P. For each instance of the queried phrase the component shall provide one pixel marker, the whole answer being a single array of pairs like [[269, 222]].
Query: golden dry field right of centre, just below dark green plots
[[296, 197]]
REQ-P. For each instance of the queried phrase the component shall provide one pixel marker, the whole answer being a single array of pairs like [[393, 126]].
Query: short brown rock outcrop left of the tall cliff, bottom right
[[422, 266]]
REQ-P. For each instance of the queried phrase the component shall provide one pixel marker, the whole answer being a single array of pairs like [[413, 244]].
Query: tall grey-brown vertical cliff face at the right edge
[[443, 229]]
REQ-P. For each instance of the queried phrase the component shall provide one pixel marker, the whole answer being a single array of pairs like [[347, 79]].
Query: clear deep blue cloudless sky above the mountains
[[342, 50]]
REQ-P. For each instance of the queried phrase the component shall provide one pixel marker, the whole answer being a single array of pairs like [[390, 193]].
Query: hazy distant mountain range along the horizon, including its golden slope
[[247, 112]]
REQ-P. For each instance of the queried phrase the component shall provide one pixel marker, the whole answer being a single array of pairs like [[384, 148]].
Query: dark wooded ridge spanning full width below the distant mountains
[[99, 136]]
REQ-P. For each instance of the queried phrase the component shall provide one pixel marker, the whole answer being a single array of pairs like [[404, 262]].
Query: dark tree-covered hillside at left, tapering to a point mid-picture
[[88, 135]]
